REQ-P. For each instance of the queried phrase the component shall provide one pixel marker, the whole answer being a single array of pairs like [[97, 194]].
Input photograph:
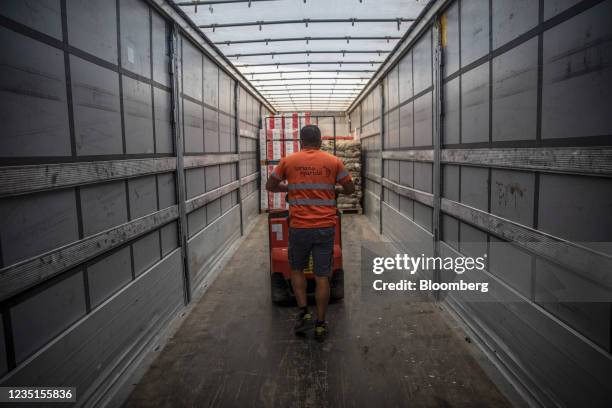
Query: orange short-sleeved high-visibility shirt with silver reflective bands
[[312, 176]]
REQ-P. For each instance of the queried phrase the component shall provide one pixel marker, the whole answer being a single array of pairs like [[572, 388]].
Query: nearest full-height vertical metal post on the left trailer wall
[[177, 135]]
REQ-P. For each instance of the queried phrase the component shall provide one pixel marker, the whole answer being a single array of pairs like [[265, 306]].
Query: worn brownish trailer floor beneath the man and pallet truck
[[236, 349]]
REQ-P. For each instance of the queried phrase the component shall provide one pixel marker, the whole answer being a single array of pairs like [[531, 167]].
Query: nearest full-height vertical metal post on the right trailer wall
[[437, 138]]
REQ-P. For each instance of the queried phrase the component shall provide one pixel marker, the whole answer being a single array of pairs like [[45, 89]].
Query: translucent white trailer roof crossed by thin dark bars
[[331, 48]]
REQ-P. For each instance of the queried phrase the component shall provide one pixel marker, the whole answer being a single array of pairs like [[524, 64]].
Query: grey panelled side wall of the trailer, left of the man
[[122, 182]]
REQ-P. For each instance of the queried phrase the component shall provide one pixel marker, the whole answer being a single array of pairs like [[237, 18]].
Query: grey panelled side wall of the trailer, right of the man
[[496, 134]]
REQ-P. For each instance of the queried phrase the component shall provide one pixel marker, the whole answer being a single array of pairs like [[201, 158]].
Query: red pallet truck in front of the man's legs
[[280, 271]]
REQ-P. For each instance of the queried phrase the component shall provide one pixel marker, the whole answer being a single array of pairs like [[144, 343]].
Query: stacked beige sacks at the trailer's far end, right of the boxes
[[349, 151]]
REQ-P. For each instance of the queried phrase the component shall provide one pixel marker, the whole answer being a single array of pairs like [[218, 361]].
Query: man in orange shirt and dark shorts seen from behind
[[312, 177]]
